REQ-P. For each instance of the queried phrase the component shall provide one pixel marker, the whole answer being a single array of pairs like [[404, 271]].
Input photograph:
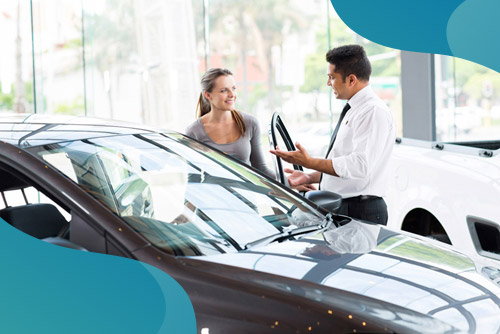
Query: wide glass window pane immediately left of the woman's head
[[140, 61]]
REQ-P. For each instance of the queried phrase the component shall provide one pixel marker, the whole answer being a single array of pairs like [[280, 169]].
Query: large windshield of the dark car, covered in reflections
[[180, 195]]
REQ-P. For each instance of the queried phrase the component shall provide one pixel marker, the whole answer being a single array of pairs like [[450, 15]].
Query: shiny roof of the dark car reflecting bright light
[[25, 130]]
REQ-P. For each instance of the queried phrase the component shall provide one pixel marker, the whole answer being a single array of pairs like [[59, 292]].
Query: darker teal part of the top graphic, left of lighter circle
[[419, 26]]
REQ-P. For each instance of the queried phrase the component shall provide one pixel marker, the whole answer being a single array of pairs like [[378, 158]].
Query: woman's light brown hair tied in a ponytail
[[207, 85]]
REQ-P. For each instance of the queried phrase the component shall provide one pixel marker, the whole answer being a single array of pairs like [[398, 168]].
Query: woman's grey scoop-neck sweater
[[246, 148]]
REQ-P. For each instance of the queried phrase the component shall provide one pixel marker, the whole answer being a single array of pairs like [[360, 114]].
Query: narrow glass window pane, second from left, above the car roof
[[58, 58]]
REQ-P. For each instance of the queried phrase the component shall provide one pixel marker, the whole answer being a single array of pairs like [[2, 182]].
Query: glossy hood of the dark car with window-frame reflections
[[399, 270]]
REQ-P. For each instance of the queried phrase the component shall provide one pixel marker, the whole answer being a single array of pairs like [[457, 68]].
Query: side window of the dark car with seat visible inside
[[35, 211]]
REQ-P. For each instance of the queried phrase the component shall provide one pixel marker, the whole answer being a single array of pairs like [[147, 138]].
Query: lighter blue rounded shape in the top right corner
[[473, 31]]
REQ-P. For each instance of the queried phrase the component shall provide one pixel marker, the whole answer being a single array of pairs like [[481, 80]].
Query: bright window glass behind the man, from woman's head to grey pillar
[[278, 60]]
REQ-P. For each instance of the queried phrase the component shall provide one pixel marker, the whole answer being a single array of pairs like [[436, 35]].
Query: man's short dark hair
[[350, 59]]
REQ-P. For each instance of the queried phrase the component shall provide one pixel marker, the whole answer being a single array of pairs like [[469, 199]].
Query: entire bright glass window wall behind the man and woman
[[141, 61]]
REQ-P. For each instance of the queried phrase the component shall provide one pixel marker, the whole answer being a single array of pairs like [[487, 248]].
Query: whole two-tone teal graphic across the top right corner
[[465, 29]]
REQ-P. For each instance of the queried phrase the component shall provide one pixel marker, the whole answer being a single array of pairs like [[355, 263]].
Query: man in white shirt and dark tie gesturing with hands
[[356, 165]]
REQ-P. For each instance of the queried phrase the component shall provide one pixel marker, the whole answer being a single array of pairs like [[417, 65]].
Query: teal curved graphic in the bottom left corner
[[50, 289]]
